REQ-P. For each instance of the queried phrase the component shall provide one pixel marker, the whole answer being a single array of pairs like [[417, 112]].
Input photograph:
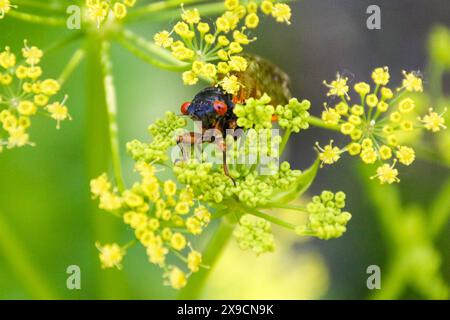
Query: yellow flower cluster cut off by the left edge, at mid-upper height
[[23, 94]]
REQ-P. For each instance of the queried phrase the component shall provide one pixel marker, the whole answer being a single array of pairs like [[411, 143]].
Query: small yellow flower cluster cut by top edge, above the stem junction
[[99, 10]]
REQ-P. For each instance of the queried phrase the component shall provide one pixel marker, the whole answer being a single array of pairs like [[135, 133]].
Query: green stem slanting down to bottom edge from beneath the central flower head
[[211, 255]]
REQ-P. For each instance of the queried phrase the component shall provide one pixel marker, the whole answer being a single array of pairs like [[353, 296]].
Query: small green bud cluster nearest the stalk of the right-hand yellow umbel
[[294, 115]]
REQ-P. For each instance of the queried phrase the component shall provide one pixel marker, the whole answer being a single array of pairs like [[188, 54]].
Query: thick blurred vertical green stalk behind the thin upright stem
[[105, 227]]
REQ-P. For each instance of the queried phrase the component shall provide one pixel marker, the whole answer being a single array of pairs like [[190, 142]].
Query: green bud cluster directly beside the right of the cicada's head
[[255, 113]]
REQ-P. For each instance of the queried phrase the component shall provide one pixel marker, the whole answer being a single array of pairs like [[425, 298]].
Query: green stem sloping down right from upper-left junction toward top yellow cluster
[[132, 43]]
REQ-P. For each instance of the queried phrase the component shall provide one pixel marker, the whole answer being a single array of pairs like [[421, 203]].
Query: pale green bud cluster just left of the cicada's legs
[[164, 133]]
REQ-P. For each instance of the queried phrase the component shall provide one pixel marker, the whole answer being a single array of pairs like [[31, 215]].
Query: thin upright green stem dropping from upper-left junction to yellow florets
[[111, 104]]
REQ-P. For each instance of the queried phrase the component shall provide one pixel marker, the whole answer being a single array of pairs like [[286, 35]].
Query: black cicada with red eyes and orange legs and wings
[[214, 108]]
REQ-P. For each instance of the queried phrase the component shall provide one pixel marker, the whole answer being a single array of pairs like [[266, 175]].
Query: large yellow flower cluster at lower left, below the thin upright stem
[[160, 214]]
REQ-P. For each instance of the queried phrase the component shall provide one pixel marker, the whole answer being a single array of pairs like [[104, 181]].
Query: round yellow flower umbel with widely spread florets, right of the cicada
[[377, 122]]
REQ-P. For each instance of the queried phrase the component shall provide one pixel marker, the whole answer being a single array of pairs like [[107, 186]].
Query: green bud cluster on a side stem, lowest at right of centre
[[326, 219]]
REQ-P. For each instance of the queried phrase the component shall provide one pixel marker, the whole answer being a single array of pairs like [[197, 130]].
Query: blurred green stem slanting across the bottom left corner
[[17, 257]]
